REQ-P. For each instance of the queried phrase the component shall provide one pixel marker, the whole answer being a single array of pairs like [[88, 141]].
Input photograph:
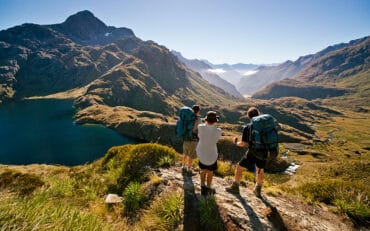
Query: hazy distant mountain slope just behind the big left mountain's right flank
[[205, 71]]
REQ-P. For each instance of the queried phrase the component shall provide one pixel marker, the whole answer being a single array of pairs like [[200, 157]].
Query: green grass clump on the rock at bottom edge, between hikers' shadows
[[210, 217]]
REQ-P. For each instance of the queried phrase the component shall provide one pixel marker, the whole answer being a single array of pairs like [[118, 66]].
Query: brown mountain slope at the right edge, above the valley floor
[[327, 74]]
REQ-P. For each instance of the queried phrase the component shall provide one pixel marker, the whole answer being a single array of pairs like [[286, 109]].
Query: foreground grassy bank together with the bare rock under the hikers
[[156, 197]]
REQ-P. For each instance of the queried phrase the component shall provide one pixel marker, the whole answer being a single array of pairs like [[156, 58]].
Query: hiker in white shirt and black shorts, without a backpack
[[207, 151]]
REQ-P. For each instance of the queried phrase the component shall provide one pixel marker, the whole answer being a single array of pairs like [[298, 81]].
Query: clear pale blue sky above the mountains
[[221, 31]]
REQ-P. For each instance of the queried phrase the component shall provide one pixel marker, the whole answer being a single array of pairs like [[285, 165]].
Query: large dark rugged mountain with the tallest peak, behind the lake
[[115, 67]]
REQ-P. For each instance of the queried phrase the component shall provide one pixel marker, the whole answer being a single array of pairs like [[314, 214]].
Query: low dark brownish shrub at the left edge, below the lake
[[20, 183]]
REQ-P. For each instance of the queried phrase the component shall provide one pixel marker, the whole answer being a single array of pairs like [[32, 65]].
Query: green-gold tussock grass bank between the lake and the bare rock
[[73, 198]]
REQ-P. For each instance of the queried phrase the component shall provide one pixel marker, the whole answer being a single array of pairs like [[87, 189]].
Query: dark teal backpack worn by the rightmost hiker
[[264, 137]]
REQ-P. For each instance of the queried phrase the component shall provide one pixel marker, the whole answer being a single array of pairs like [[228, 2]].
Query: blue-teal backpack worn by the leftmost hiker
[[185, 124]]
